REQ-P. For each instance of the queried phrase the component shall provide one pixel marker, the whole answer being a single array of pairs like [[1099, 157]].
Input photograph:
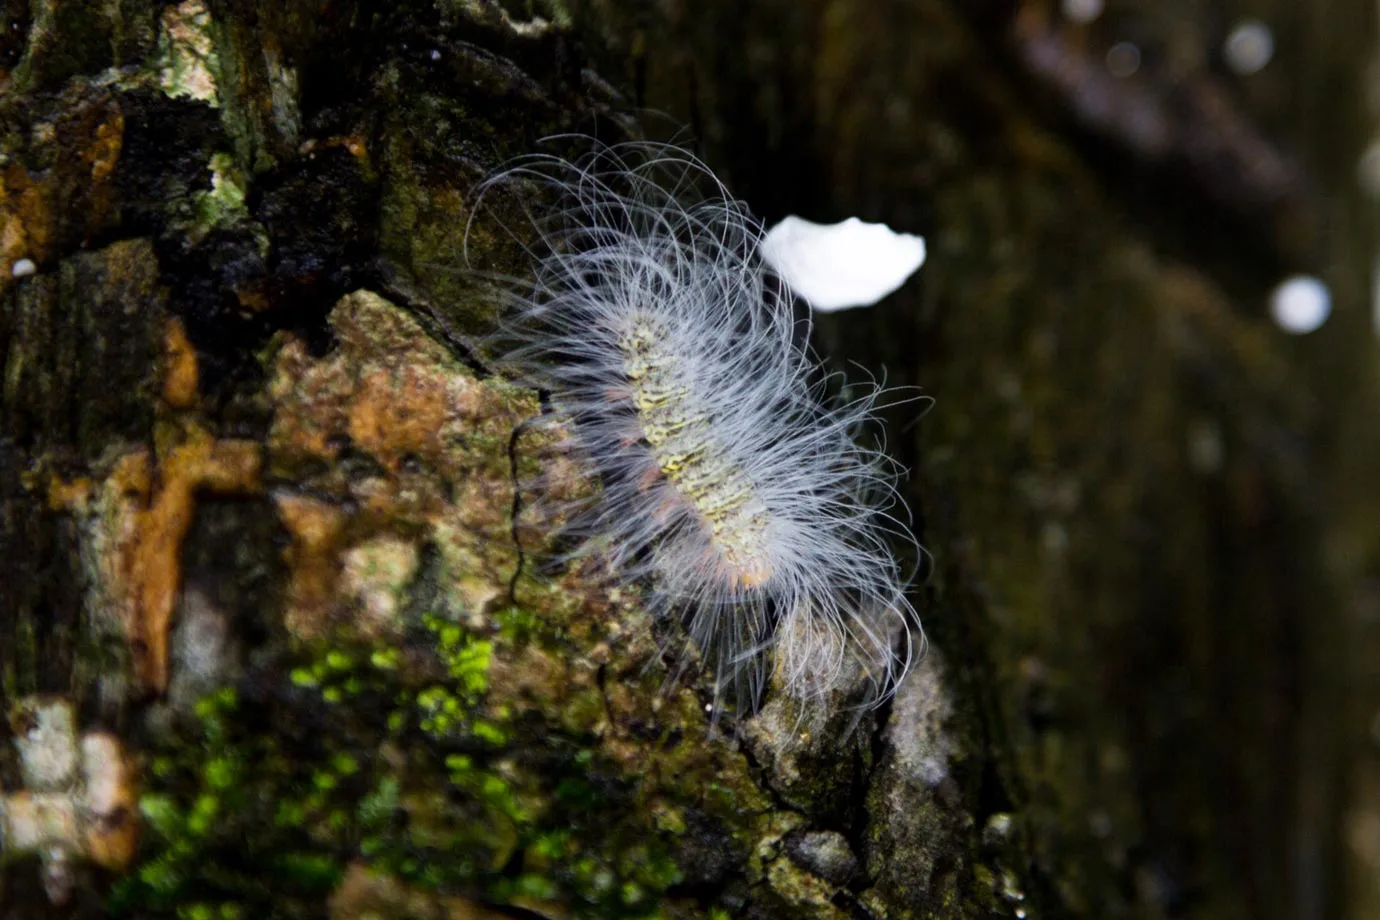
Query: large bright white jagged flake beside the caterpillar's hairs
[[840, 266]]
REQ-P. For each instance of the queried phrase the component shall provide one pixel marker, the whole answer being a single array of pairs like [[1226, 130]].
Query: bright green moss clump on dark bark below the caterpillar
[[310, 794]]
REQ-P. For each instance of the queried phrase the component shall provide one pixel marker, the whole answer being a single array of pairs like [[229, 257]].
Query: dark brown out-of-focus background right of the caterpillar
[[1149, 322]]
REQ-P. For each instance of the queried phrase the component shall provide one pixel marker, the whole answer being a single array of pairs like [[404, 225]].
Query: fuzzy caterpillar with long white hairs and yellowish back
[[732, 488]]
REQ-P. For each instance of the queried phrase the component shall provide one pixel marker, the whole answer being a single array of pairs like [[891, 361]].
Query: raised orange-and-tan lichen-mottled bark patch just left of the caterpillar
[[398, 445]]
